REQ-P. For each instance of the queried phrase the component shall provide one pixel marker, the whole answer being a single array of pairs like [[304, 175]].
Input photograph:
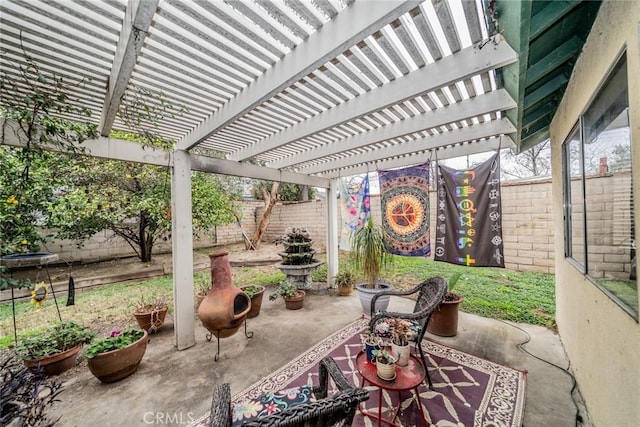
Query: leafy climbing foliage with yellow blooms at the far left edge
[[35, 106]]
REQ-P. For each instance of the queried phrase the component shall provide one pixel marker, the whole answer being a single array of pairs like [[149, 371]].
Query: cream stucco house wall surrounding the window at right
[[601, 339]]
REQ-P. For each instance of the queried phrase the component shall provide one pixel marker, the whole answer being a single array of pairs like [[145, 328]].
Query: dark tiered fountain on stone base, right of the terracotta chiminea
[[297, 259]]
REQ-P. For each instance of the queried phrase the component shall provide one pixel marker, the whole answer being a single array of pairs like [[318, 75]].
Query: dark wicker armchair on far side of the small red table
[[430, 293]]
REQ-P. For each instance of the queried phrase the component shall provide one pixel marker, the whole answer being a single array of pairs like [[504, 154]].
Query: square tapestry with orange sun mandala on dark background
[[405, 209]]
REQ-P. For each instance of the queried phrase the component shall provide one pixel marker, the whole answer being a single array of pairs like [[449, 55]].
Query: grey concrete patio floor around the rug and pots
[[174, 387]]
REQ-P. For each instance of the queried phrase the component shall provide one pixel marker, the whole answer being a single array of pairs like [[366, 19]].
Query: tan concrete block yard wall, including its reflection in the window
[[527, 228]]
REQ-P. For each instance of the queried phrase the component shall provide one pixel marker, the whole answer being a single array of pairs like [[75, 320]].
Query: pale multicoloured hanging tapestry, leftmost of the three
[[356, 207]]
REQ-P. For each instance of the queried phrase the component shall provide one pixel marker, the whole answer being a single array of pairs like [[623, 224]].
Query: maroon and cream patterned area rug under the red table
[[468, 391]]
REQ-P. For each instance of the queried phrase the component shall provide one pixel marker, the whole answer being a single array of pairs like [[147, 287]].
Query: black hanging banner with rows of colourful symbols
[[469, 215]]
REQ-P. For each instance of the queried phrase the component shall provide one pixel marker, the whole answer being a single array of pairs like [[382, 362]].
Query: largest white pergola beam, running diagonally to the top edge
[[350, 26]]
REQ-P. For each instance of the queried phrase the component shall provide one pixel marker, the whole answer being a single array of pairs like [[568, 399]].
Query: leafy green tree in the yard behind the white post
[[133, 201]]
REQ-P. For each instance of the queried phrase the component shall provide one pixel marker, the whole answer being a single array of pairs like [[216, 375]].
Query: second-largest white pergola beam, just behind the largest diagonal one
[[449, 70]]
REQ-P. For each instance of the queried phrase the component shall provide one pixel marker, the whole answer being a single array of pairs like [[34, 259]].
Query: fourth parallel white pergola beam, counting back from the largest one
[[482, 130]]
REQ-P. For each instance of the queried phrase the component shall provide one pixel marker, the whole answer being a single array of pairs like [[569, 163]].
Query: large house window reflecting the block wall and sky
[[598, 193]]
